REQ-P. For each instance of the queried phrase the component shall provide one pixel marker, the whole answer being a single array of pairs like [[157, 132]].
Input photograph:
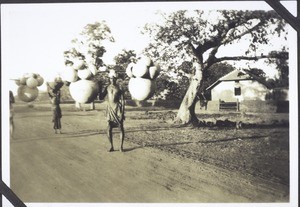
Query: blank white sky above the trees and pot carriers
[[34, 36]]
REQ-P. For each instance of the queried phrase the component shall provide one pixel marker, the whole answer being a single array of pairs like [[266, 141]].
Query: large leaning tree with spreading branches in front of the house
[[198, 36]]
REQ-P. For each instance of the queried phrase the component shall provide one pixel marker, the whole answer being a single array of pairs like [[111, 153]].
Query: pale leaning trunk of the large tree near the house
[[186, 113]]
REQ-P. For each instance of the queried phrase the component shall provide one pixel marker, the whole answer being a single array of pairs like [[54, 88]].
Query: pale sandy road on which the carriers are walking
[[76, 167]]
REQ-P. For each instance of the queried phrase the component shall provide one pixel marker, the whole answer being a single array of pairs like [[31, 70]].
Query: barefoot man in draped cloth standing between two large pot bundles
[[115, 114]]
